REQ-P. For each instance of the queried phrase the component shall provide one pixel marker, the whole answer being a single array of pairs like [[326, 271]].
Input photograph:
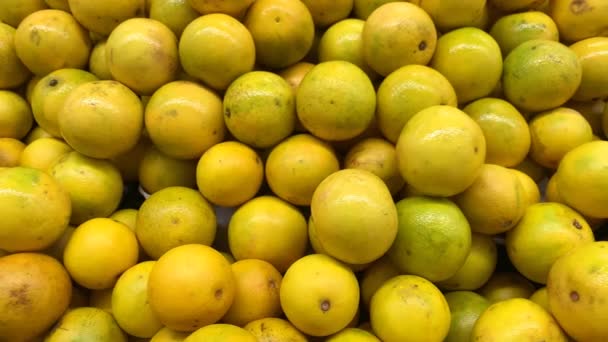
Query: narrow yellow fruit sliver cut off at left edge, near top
[[12, 71]]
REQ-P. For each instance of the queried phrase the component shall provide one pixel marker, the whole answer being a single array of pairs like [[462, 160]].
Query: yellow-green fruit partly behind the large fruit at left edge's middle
[[94, 185]]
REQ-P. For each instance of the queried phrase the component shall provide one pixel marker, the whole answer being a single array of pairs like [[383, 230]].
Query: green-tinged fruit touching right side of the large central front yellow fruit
[[433, 240]]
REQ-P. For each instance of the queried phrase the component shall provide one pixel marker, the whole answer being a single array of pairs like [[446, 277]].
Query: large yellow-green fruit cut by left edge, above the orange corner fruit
[[35, 209]]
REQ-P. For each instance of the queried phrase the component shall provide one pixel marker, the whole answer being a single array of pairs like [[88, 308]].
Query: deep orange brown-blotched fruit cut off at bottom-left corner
[[31, 285]]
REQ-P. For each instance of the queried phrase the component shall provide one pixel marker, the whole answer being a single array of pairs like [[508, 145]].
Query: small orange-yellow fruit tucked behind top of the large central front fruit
[[379, 157]]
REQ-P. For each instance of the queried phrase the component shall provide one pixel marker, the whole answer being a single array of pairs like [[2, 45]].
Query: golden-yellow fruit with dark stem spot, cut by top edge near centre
[[283, 31]]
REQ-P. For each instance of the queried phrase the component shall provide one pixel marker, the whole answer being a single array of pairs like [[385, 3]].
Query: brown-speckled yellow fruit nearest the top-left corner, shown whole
[[49, 40]]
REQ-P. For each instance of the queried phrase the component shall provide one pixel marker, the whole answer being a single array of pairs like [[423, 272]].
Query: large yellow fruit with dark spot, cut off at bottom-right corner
[[575, 285]]
